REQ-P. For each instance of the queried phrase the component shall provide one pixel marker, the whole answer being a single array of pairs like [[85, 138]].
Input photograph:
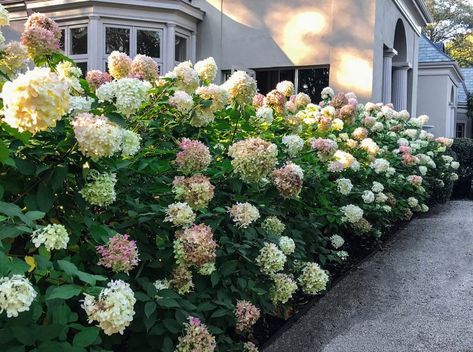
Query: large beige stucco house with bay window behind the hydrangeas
[[366, 46]]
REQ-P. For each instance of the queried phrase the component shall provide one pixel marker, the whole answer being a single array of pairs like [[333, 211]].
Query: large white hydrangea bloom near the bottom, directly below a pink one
[[113, 310]]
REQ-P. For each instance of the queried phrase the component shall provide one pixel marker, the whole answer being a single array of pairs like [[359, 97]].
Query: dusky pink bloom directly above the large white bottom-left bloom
[[119, 254]]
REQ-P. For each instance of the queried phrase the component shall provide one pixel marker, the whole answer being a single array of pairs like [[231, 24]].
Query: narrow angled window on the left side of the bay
[[74, 43]]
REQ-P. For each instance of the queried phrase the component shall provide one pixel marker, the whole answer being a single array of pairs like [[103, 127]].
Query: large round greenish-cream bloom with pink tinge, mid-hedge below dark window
[[253, 158]]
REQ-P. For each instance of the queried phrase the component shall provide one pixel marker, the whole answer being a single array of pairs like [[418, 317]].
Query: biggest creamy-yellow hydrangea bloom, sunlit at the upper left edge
[[35, 100]]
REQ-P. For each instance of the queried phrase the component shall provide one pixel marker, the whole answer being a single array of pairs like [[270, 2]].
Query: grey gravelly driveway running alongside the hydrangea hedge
[[414, 296]]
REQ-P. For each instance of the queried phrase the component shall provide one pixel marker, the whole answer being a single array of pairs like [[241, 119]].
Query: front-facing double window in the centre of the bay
[[133, 41]]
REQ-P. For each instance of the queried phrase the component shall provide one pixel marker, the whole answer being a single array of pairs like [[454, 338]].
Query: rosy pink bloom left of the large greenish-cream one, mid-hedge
[[194, 156]]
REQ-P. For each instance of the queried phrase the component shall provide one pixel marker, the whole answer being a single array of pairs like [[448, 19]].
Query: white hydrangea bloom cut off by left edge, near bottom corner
[[16, 295]]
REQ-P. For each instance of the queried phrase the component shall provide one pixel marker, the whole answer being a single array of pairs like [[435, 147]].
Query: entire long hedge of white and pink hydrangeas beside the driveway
[[168, 213]]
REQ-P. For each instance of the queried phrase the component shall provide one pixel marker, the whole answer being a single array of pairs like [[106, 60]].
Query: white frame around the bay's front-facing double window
[[133, 27]]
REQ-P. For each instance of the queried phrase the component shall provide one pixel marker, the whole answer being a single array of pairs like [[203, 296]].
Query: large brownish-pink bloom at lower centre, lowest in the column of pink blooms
[[197, 244]]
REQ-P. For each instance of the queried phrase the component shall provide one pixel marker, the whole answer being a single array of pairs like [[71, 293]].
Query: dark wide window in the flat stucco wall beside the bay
[[310, 80]]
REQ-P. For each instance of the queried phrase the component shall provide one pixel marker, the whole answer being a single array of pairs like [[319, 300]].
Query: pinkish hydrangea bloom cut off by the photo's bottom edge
[[196, 339]]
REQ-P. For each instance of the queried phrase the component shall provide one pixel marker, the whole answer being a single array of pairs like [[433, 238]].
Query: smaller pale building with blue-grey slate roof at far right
[[440, 84]]
